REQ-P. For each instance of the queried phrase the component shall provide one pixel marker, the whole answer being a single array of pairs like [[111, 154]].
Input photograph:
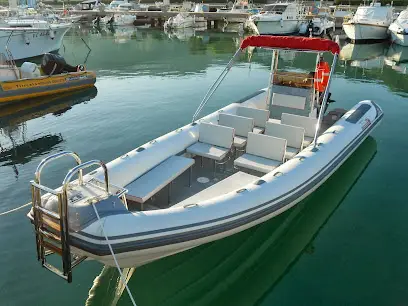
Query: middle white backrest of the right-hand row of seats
[[294, 135]]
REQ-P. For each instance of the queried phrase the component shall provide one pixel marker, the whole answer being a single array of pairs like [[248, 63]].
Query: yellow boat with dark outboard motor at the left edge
[[30, 80]]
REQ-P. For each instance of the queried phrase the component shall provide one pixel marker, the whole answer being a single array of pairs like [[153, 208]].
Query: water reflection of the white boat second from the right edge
[[366, 56]]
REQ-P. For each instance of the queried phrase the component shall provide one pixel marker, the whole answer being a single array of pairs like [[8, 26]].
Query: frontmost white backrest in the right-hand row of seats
[[266, 146]]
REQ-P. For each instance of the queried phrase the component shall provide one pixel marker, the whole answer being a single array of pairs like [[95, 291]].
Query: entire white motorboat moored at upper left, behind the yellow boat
[[29, 37]]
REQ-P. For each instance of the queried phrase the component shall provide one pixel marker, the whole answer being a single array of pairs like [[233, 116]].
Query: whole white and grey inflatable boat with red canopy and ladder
[[217, 176]]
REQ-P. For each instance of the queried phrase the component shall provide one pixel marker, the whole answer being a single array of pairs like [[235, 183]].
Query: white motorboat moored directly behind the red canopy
[[279, 18]]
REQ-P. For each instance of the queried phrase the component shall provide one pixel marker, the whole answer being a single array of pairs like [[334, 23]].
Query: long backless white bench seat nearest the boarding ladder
[[150, 183]]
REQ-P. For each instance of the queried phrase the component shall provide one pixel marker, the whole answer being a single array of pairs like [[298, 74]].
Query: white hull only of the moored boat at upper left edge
[[32, 42]]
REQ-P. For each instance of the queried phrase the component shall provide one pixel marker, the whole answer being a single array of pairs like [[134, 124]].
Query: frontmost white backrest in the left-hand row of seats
[[216, 135]]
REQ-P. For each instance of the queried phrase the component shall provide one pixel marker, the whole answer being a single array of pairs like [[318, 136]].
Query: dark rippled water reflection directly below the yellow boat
[[15, 148]]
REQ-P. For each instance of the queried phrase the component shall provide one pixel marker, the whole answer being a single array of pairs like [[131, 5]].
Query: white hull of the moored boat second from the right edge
[[357, 31]]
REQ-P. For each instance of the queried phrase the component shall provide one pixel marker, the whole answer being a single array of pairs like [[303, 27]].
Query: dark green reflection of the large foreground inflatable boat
[[240, 269]]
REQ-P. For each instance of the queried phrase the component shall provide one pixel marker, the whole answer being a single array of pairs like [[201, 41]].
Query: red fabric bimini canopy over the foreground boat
[[291, 42]]
